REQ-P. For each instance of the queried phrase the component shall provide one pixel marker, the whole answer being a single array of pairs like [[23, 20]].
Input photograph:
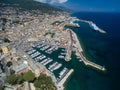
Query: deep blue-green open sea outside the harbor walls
[[103, 49]]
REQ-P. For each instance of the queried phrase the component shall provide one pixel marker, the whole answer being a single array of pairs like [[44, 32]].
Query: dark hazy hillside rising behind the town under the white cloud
[[32, 5]]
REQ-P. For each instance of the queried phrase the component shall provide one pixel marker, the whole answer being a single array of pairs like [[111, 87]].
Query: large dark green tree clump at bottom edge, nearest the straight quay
[[44, 83]]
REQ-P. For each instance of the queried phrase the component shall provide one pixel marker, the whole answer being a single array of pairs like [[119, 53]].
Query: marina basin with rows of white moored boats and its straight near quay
[[43, 54]]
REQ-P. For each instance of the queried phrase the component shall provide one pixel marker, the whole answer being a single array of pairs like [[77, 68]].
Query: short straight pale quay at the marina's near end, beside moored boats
[[61, 83]]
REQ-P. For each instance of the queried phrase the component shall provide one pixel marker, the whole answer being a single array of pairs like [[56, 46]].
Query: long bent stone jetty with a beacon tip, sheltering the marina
[[79, 52]]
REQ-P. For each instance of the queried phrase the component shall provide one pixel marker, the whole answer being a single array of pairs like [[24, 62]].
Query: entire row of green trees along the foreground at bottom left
[[43, 82]]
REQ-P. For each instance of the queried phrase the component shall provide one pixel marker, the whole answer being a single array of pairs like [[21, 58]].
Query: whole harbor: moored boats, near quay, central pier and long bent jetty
[[44, 53]]
